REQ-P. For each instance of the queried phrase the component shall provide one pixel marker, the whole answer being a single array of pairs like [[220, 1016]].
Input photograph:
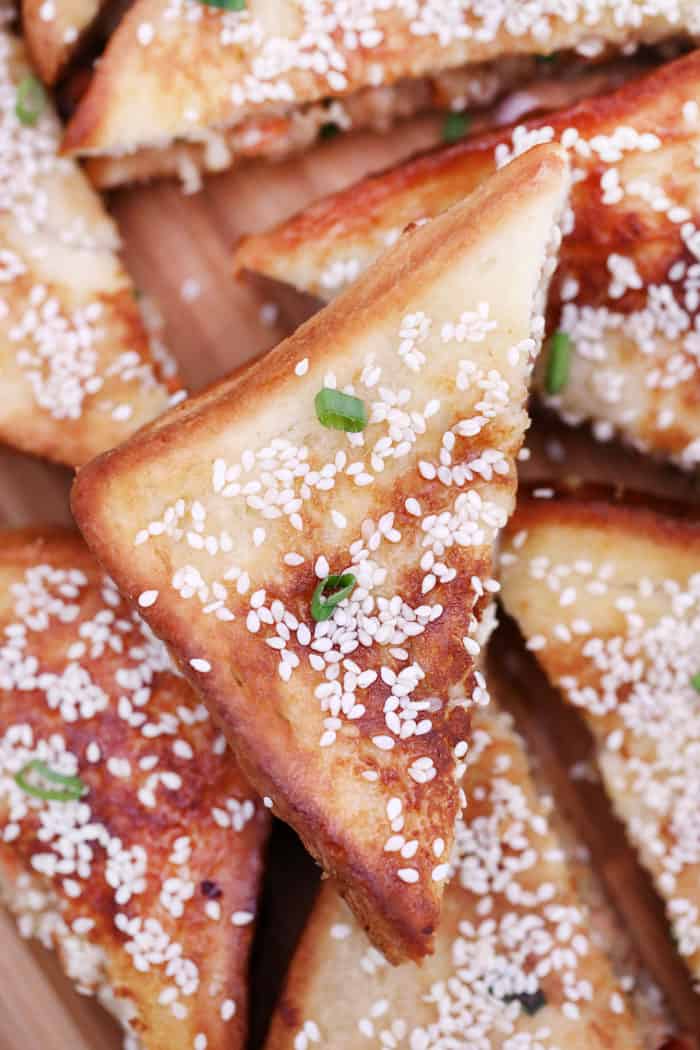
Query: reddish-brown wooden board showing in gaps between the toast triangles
[[169, 240]]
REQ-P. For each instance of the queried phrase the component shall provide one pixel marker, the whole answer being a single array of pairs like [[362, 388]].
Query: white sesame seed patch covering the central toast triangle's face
[[375, 692]]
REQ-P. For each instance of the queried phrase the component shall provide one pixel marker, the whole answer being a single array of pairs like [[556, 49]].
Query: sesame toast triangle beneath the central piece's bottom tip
[[512, 915]]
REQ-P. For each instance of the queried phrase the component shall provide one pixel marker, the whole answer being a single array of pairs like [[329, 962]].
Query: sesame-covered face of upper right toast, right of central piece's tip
[[634, 324]]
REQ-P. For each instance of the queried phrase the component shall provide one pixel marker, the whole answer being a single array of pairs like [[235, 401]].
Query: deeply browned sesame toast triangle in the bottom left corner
[[146, 884]]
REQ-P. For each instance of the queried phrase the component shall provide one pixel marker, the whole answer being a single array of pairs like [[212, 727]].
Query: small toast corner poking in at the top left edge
[[54, 32]]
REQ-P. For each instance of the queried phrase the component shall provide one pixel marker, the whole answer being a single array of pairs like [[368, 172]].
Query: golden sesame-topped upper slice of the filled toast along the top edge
[[225, 68]]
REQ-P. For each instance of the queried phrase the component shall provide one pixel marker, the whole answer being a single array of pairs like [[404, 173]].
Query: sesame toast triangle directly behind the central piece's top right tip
[[626, 291]]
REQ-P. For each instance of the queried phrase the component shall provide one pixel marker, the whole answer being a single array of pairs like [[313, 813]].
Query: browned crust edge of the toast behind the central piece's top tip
[[431, 183]]
